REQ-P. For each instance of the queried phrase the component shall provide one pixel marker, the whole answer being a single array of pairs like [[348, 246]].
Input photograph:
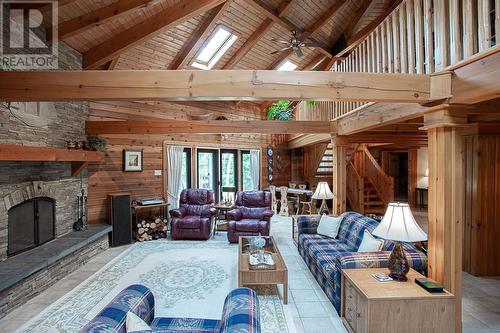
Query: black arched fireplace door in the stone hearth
[[31, 224]]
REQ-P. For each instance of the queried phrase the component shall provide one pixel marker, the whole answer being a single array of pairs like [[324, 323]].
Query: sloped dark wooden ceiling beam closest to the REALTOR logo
[[99, 16]]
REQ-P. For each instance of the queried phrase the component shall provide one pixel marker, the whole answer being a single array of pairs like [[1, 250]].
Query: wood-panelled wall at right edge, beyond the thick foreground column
[[482, 205]]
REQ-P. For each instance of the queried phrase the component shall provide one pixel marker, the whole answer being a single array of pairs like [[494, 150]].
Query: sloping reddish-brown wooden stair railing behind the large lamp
[[383, 184]]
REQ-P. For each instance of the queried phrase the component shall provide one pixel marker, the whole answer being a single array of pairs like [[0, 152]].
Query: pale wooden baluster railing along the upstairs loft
[[422, 36]]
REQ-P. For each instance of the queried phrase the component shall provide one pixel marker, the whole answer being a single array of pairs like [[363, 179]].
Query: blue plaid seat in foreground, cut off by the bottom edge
[[240, 314]]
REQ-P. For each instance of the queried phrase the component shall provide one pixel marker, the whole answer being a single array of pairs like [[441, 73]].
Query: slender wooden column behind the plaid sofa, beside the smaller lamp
[[339, 188]]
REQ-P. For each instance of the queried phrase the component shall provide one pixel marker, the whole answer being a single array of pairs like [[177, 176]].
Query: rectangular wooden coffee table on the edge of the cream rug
[[246, 276]]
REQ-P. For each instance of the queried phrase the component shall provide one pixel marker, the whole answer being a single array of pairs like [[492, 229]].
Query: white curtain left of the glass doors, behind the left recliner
[[174, 175]]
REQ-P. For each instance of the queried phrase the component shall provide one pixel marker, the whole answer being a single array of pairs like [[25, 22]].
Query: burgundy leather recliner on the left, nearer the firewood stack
[[193, 219]]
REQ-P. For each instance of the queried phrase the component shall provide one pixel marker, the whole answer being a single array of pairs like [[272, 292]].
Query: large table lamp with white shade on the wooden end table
[[398, 224]]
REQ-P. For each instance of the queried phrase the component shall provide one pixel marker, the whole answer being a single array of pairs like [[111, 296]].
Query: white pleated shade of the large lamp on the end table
[[398, 224]]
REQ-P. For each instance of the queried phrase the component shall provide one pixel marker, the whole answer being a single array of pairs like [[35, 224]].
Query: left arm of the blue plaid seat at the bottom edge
[[136, 298]]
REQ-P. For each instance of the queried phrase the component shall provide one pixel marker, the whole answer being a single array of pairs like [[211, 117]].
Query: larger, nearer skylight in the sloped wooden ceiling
[[218, 44]]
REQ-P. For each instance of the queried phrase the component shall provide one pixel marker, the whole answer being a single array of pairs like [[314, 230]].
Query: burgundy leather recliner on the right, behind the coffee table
[[251, 217]]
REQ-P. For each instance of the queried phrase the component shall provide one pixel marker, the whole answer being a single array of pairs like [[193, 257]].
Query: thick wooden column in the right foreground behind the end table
[[446, 159]]
